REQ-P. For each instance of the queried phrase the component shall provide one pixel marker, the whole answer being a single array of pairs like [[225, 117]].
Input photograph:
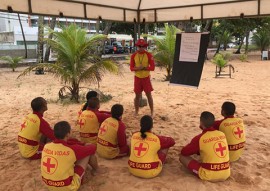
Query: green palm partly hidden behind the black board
[[165, 47]]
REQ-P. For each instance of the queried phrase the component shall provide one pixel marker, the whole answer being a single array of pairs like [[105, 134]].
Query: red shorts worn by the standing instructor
[[142, 84]]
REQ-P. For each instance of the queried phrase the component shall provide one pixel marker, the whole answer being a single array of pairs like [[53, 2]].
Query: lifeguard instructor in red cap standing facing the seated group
[[142, 62]]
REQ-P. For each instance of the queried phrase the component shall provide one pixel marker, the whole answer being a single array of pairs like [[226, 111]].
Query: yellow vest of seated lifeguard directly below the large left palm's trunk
[[88, 126]]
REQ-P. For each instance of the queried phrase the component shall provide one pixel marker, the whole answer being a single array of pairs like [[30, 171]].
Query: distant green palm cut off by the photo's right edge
[[262, 39]]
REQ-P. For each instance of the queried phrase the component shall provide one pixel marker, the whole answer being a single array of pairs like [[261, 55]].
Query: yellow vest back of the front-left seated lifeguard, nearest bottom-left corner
[[57, 167]]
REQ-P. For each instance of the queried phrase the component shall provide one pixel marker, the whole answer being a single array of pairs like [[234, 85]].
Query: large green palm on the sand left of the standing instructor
[[76, 61]]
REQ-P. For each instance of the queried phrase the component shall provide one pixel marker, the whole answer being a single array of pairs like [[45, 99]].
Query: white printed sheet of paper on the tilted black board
[[190, 47]]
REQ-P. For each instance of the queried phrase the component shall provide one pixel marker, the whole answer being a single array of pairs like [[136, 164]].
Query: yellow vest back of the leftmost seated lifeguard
[[29, 136]]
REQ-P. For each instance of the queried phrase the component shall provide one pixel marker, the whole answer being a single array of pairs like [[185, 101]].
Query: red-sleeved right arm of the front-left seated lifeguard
[[83, 151]]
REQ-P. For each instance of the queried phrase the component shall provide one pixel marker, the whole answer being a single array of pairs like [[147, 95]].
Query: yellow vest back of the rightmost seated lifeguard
[[234, 130]]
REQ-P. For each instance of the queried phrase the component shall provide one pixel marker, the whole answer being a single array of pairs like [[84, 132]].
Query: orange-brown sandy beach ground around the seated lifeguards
[[177, 111]]
